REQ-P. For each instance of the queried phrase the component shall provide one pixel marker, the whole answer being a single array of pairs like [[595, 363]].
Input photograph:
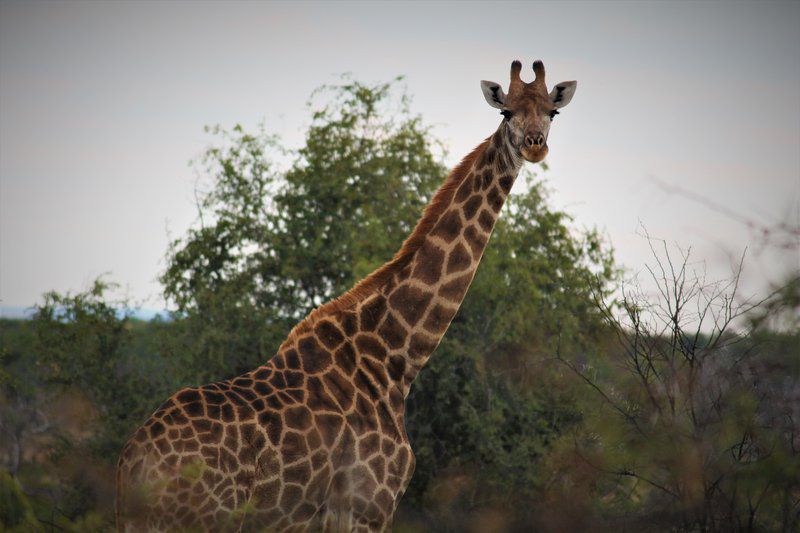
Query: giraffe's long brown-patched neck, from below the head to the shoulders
[[379, 334]]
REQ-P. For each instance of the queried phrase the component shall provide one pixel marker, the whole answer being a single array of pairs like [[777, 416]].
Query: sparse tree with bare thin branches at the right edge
[[697, 425]]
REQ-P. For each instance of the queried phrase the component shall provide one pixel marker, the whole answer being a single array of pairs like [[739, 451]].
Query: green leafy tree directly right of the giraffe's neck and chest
[[489, 405]]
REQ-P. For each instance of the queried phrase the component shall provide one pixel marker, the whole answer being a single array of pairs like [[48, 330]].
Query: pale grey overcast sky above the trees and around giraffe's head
[[102, 106]]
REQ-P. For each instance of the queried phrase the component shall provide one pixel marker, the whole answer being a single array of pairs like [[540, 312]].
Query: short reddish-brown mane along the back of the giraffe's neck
[[365, 287]]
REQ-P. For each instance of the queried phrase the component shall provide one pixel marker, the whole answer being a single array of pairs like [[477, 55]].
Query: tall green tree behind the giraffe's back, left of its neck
[[271, 245]]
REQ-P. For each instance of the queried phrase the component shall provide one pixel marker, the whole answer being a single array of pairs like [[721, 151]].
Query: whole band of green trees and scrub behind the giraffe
[[561, 398]]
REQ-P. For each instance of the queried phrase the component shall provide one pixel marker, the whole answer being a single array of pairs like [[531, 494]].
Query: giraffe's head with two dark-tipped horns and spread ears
[[528, 109]]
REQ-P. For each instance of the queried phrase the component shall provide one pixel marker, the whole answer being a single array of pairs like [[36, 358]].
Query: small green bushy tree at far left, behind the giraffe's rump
[[83, 343]]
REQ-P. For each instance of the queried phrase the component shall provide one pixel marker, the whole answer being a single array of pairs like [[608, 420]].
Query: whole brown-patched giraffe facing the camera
[[314, 439]]
